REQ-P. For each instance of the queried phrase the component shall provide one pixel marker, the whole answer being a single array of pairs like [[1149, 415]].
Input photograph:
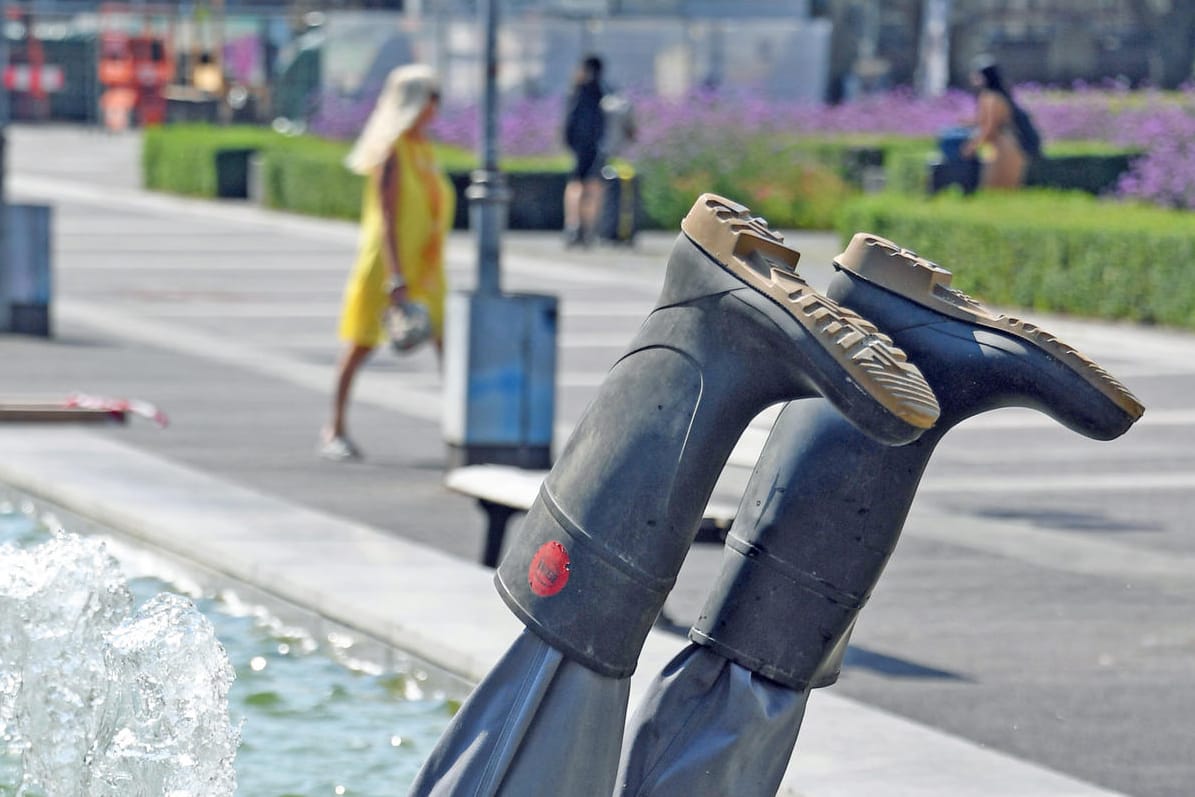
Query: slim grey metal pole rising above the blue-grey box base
[[488, 194]]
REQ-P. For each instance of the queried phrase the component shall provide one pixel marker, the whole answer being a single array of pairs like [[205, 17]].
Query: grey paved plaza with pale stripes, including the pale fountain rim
[[1033, 634]]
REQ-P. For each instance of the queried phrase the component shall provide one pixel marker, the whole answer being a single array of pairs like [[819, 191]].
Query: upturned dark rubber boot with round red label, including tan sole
[[734, 332]]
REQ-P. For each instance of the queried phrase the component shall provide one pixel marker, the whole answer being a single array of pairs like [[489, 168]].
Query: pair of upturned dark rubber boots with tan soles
[[737, 330]]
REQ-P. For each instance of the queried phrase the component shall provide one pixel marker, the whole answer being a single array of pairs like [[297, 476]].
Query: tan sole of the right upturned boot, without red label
[[922, 281]]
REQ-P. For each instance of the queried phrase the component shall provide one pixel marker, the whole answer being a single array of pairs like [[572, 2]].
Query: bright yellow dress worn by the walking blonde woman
[[426, 209]]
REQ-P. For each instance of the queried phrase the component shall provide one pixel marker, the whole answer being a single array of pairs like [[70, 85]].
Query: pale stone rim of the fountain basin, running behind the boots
[[445, 610]]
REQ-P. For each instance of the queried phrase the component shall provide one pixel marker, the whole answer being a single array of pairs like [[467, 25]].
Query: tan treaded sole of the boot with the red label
[[746, 248]]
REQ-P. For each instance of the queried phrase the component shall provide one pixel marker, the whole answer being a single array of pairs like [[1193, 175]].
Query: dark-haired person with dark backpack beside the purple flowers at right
[[1003, 130]]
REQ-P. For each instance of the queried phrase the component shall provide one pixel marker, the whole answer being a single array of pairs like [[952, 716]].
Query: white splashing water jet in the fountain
[[100, 701]]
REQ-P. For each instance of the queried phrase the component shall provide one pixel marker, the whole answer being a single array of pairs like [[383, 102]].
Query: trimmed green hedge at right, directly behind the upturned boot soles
[[1049, 250]]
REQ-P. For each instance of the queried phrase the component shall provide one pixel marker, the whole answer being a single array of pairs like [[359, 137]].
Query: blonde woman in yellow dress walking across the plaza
[[408, 210]]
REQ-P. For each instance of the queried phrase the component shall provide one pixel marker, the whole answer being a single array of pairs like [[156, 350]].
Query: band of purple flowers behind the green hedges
[[1161, 125]]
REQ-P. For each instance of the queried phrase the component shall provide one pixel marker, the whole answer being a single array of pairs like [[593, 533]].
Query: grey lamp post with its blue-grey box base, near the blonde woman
[[500, 350]]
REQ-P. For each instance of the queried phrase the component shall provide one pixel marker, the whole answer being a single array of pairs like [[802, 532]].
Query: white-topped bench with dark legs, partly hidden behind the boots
[[504, 491]]
